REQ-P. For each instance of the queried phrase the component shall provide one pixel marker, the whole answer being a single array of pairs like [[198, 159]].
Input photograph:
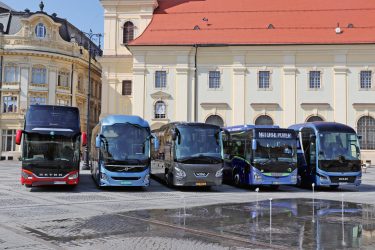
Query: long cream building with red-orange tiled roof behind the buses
[[241, 62]]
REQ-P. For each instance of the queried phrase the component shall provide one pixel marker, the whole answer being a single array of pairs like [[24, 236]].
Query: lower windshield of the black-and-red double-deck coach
[[44, 147]]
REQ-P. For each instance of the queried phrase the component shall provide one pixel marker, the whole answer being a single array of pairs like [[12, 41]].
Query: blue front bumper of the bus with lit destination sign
[[259, 178]]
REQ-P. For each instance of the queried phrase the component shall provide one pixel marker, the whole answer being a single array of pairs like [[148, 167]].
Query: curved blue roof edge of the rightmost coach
[[324, 127]]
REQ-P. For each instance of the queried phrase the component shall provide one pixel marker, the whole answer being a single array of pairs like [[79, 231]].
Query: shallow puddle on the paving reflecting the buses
[[298, 223]]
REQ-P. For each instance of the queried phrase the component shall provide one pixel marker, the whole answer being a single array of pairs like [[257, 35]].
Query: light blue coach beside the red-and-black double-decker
[[120, 152]]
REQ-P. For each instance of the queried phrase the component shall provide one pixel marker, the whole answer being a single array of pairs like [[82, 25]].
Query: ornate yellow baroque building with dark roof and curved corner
[[44, 60]]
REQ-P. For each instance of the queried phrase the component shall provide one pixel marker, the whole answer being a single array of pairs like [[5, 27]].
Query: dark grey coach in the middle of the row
[[188, 154]]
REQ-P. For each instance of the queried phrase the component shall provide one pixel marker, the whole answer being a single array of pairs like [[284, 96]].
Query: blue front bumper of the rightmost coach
[[334, 179]]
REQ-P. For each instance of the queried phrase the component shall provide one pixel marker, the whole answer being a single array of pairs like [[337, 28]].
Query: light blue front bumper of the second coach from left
[[113, 179]]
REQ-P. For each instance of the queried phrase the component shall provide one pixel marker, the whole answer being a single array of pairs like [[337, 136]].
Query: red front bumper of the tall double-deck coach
[[30, 179]]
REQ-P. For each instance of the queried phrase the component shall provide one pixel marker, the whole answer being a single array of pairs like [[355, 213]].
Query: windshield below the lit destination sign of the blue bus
[[280, 150]]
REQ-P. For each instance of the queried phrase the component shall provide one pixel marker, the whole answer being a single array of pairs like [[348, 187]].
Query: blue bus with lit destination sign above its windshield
[[260, 155]]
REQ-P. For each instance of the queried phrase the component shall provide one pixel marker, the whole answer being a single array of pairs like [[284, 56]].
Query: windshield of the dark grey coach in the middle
[[198, 142]]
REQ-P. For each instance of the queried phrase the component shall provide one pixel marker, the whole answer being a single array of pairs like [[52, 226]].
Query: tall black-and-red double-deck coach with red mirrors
[[51, 146]]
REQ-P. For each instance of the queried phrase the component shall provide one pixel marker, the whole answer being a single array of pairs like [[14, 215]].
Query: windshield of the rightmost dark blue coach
[[336, 145]]
